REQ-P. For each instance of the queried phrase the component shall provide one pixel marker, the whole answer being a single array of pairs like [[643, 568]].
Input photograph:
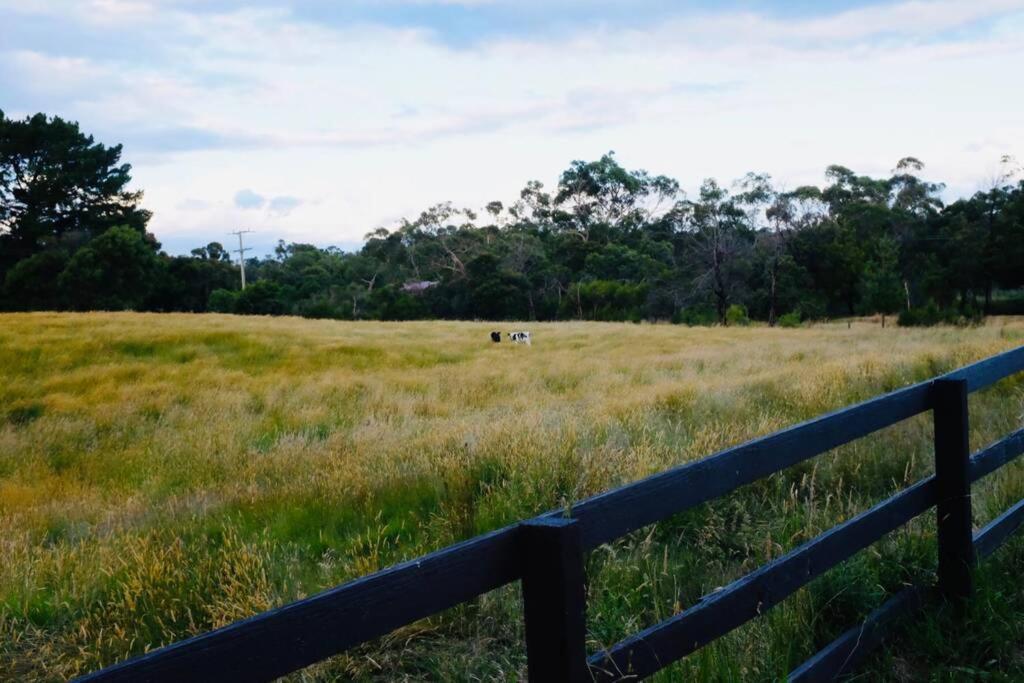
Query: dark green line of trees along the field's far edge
[[606, 243]]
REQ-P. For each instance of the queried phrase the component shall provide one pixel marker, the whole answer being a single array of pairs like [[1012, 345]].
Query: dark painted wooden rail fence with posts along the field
[[547, 556]]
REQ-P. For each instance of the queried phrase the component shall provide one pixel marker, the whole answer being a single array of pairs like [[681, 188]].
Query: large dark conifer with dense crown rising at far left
[[59, 187]]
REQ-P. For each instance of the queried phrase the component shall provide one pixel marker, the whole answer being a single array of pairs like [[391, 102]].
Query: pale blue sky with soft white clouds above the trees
[[319, 121]]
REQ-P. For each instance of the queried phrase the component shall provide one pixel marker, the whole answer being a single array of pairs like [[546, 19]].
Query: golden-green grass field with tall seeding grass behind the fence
[[162, 476]]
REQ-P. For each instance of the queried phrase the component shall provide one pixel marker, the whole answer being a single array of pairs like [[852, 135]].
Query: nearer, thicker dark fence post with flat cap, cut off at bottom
[[554, 601]]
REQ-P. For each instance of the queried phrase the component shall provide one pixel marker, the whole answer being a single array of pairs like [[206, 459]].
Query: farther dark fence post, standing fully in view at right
[[953, 455]]
